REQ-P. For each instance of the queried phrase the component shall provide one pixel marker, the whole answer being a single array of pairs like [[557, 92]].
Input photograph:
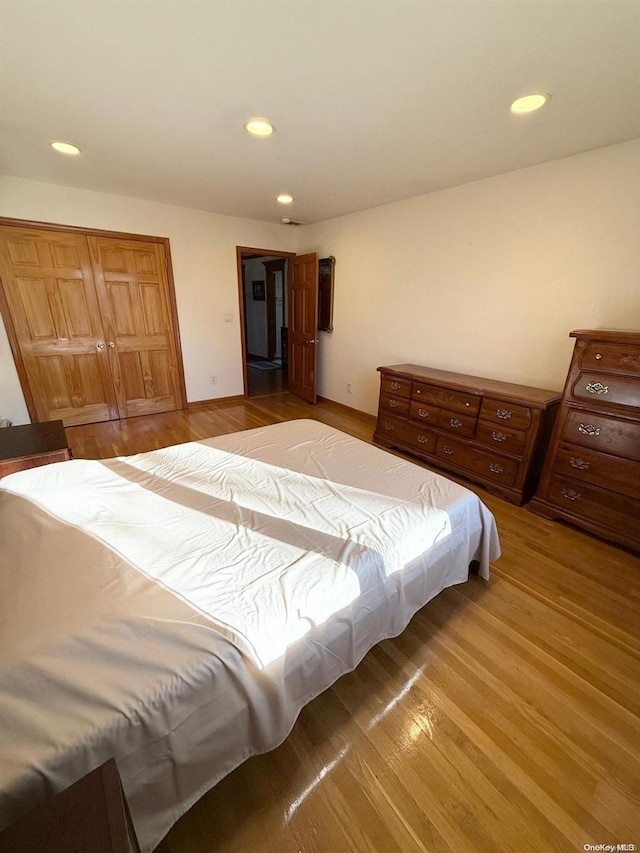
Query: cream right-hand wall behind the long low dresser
[[487, 278]]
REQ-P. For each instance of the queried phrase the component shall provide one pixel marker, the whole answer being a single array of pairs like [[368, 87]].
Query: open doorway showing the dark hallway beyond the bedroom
[[263, 281]]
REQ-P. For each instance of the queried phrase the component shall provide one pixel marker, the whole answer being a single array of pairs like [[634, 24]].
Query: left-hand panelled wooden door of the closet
[[51, 297]]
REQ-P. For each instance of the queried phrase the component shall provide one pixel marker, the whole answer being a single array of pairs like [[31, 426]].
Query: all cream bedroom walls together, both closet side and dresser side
[[488, 278]]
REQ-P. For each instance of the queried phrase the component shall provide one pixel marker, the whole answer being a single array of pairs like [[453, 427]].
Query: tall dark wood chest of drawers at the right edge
[[592, 473]]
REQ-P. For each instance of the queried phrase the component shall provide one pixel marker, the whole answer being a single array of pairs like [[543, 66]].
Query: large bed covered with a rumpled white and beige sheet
[[176, 609]]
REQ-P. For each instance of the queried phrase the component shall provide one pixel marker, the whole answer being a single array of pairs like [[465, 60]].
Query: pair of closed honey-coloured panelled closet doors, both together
[[91, 324]]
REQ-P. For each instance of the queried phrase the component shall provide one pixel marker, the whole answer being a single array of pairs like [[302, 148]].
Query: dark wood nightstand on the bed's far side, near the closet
[[31, 445]]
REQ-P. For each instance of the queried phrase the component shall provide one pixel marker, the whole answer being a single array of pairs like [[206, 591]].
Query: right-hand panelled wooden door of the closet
[[133, 292]]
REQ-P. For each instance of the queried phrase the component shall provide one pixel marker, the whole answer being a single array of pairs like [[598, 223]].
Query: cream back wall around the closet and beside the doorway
[[204, 265]]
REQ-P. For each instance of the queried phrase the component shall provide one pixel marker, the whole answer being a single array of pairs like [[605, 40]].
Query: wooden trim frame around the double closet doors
[[89, 232]]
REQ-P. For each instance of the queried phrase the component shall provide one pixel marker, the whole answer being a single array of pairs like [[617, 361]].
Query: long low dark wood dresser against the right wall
[[492, 432]]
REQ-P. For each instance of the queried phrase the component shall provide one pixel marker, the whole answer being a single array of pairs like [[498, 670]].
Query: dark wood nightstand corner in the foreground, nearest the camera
[[91, 816]]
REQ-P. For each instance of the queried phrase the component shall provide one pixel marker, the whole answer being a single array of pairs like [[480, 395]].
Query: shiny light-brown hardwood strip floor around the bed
[[504, 718]]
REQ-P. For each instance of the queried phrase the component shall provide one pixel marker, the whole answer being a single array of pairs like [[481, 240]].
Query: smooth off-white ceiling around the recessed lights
[[373, 100]]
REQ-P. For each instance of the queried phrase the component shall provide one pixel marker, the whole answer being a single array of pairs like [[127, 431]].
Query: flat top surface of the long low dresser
[[476, 384]]
